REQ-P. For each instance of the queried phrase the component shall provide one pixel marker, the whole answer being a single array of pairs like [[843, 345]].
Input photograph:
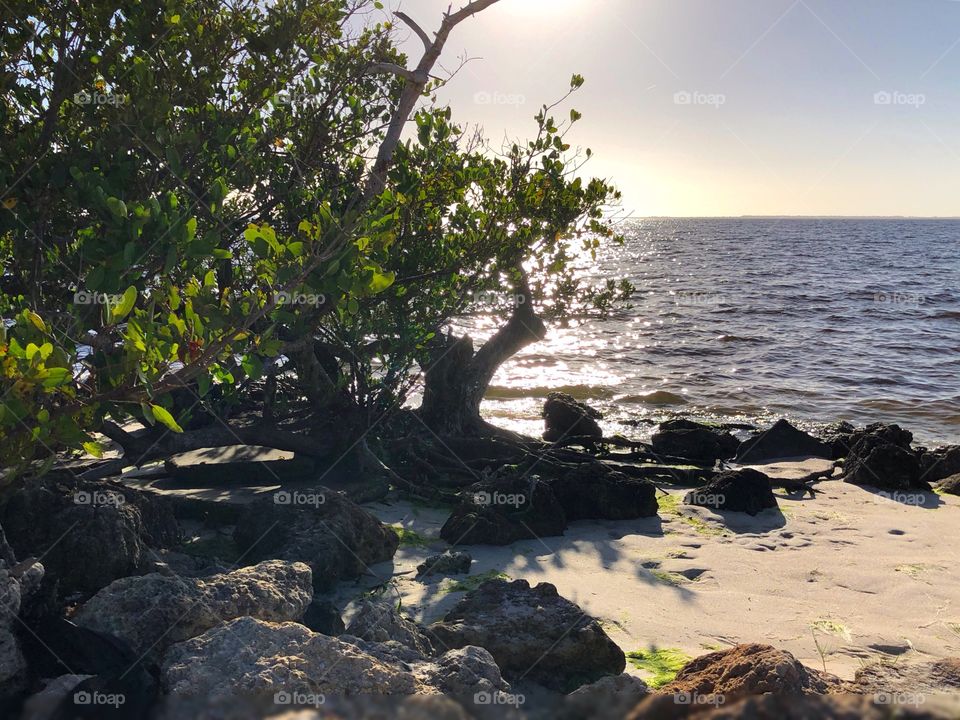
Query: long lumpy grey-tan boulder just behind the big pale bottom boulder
[[151, 612]]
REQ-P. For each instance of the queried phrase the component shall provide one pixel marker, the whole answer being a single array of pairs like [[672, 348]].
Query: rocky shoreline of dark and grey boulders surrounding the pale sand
[[138, 597]]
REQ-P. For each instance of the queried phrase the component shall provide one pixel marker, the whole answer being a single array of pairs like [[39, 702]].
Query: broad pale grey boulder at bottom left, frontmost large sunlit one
[[252, 660]]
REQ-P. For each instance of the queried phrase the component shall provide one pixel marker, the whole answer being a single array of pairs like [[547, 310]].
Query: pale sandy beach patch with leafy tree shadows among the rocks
[[863, 577]]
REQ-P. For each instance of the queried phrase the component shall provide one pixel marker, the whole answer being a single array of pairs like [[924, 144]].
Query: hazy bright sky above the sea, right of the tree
[[730, 107]]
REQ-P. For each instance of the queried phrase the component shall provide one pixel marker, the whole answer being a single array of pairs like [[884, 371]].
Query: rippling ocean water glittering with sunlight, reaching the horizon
[[750, 320]]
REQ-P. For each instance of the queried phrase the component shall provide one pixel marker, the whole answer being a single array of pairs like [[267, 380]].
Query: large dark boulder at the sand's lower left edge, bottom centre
[[531, 632]]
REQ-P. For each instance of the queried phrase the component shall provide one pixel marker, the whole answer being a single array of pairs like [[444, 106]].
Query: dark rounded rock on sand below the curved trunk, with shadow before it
[[503, 510]]
